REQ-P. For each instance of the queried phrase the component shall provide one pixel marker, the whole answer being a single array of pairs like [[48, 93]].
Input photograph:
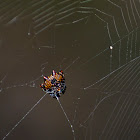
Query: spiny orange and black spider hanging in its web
[[54, 84]]
